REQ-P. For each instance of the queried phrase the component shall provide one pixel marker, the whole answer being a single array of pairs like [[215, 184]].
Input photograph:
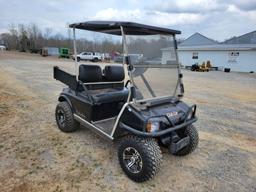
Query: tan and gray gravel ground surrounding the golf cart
[[36, 156]]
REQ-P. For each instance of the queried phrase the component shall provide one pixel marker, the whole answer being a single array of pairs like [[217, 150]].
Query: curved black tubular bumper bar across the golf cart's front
[[159, 133]]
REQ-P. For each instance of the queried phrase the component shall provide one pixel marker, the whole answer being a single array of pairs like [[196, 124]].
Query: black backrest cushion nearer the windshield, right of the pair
[[114, 73]]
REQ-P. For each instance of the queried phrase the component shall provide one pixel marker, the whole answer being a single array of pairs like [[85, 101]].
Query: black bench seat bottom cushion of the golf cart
[[109, 95]]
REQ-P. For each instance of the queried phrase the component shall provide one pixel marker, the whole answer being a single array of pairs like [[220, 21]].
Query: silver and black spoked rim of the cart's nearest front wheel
[[132, 160]]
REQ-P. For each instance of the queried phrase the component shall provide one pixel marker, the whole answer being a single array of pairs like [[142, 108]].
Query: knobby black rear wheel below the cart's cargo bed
[[64, 118]]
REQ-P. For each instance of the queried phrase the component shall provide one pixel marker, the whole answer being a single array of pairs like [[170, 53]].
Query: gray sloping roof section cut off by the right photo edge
[[248, 38]]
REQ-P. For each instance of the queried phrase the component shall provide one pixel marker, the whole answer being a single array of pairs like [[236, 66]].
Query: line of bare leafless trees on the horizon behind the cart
[[31, 38]]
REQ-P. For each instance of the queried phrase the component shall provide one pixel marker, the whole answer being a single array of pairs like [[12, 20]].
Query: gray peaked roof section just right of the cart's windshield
[[197, 39]]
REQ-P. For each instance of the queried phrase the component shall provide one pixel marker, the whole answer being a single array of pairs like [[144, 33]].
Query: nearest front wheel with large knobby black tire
[[149, 154]]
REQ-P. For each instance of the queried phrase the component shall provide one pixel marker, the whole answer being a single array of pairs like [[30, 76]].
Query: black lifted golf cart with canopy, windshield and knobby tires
[[143, 109]]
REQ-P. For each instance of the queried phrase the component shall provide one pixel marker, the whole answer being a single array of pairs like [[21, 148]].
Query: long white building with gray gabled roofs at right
[[238, 54]]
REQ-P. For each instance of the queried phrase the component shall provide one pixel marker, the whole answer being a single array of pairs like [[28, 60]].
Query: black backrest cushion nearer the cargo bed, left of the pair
[[90, 73]]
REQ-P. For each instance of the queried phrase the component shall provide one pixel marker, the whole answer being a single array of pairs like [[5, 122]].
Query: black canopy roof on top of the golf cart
[[130, 28]]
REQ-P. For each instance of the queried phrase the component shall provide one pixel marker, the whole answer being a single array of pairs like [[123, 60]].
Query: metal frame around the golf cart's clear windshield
[[131, 67]]
